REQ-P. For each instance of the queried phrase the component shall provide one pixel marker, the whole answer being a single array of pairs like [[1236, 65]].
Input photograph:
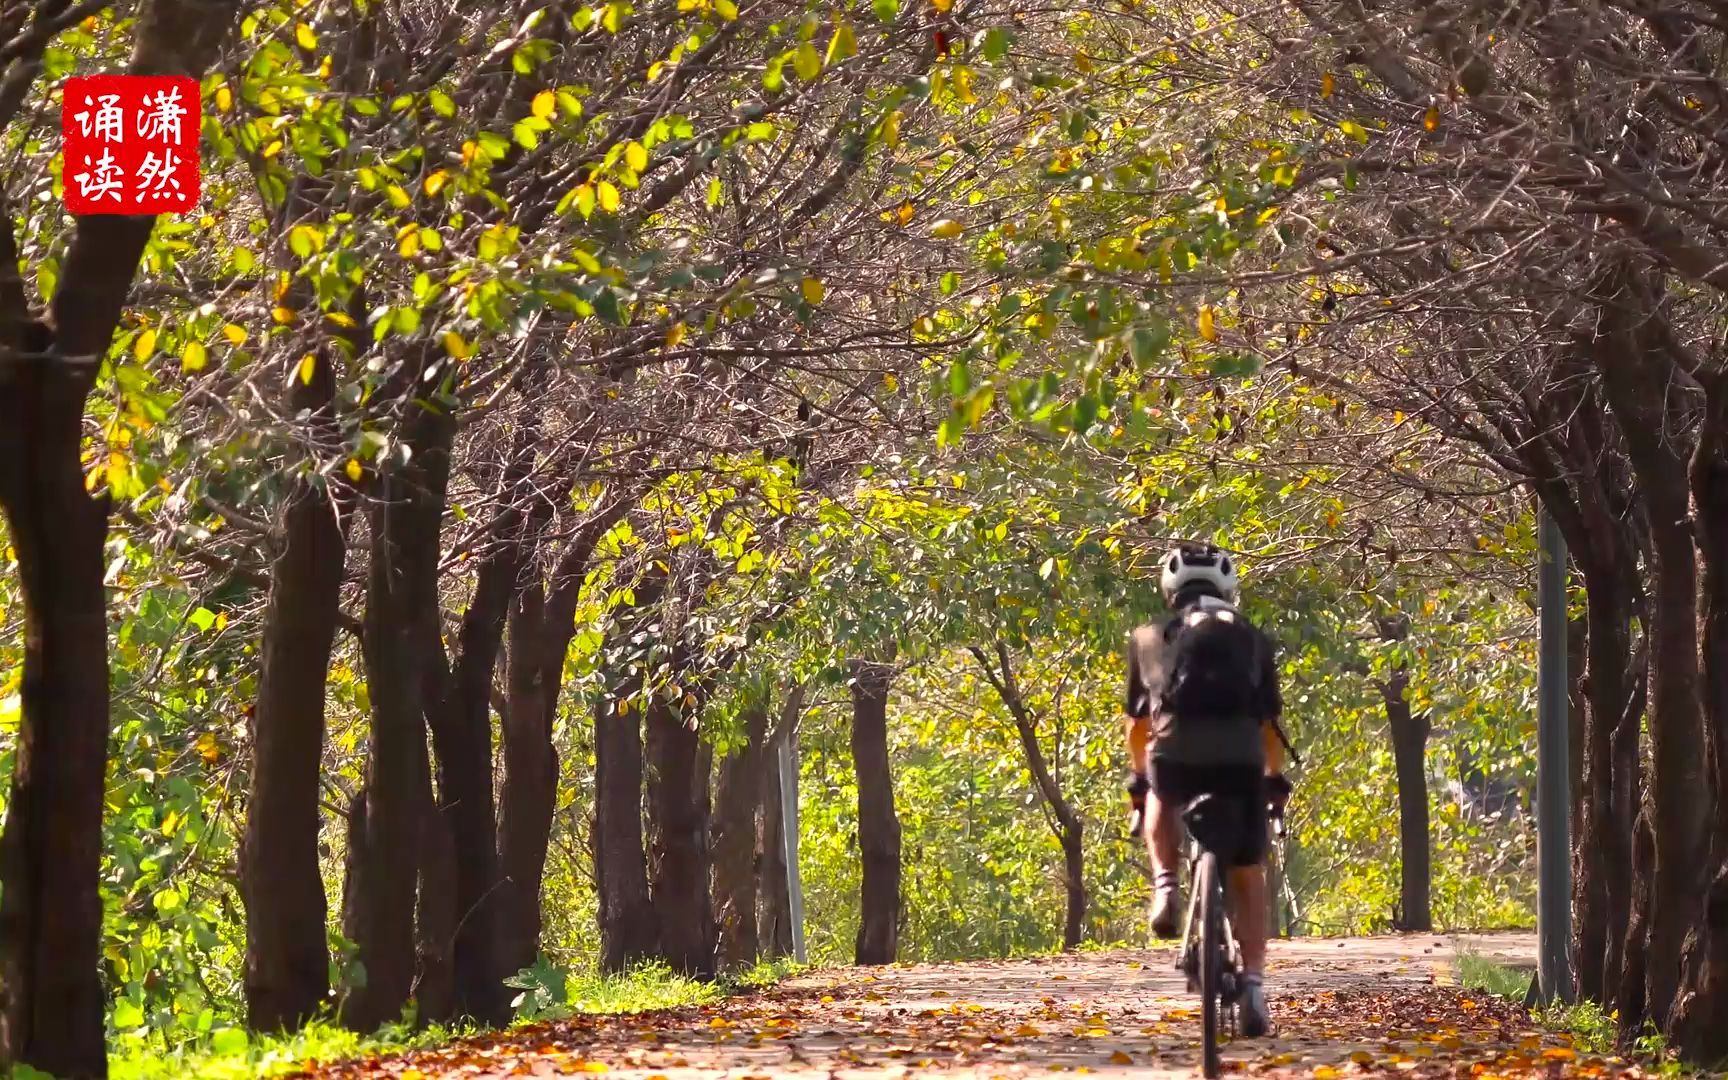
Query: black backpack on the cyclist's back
[[1217, 663]]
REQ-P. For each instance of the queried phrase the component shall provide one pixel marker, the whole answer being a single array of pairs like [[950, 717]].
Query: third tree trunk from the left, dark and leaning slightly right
[[402, 597]]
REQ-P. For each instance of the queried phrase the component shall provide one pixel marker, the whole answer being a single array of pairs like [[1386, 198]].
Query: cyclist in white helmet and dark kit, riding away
[[1204, 713]]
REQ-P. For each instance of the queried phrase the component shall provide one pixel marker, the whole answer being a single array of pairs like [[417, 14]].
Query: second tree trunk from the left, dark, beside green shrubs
[[288, 960]]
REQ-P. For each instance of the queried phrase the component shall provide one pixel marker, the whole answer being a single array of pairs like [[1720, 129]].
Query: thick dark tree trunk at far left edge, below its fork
[[51, 854]]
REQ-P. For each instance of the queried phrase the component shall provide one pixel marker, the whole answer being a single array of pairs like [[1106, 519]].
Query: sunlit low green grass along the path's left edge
[[542, 994]]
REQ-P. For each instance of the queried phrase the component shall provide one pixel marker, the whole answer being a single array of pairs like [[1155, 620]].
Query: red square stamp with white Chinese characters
[[130, 144]]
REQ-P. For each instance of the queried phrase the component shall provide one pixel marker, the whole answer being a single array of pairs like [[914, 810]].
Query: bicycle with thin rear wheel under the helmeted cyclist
[[1210, 956]]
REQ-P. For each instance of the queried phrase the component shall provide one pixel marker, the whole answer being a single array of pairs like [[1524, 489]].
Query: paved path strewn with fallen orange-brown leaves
[[1361, 1007]]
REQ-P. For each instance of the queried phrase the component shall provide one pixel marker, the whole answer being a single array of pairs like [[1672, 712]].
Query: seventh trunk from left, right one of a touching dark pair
[[678, 815]]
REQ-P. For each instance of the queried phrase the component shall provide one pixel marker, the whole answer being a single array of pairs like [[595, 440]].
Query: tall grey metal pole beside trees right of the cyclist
[[1554, 849]]
